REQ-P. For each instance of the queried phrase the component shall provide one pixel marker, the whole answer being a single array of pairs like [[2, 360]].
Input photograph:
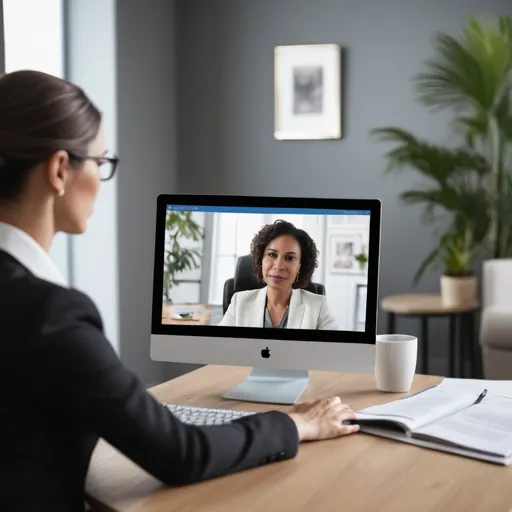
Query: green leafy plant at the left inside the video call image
[[179, 256]]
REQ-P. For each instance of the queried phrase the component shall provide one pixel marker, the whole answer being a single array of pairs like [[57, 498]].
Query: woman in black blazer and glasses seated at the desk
[[61, 384]]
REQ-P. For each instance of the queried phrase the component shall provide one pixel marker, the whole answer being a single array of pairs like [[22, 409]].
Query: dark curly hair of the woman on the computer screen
[[309, 252]]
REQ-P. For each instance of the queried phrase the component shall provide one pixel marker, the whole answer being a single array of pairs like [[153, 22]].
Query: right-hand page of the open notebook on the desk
[[486, 427]]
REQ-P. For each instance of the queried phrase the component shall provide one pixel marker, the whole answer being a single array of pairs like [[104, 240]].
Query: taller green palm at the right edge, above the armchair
[[472, 76]]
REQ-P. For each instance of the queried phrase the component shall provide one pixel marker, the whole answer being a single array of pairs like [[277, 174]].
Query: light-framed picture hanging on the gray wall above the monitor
[[307, 92]]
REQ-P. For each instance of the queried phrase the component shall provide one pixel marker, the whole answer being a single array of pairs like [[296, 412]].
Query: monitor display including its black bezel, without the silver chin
[[247, 264]]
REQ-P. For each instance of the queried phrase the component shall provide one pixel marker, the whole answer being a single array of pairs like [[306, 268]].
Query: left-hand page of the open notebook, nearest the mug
[[420, 409]]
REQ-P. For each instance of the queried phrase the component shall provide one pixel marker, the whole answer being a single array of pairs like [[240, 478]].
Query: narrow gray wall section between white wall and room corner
[[147, 145]]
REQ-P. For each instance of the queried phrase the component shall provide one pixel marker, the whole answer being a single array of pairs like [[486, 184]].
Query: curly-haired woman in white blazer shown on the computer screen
[[284, 259]]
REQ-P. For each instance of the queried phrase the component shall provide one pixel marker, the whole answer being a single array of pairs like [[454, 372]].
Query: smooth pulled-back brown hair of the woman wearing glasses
[[39, 115]]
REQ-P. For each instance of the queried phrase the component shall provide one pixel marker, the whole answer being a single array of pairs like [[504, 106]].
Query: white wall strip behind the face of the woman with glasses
[[91, 63]]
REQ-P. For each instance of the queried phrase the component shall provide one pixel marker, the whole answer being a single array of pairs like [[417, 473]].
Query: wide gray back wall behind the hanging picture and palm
[[225, 115]]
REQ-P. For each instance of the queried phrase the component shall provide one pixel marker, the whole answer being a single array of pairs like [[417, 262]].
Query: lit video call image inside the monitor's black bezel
[[265, 267]]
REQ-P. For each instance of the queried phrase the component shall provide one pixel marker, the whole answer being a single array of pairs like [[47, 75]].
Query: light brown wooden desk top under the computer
[[356, 473]]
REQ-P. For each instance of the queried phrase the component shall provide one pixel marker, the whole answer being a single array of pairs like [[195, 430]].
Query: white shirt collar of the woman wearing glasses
[[21, 246]]
